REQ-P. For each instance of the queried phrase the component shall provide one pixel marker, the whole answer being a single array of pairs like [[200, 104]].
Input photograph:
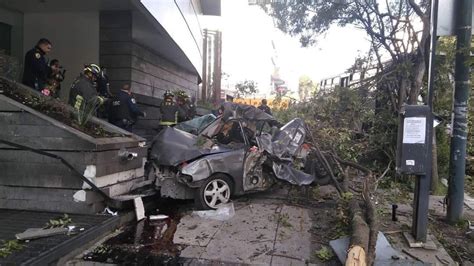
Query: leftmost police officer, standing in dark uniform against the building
[[36, 67]]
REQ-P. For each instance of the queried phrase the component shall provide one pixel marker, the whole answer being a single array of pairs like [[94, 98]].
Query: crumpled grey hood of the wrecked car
[[172, 147]]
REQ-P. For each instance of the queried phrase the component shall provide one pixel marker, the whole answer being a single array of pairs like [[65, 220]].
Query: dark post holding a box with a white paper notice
[[416, 146]]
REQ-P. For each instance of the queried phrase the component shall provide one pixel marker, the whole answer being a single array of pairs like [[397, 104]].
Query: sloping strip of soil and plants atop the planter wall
[[52, 108]]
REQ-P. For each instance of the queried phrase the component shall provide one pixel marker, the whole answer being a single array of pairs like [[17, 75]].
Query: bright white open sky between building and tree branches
[[247, 34]]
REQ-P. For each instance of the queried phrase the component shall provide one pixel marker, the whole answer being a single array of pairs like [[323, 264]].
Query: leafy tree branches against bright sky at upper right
[[398, 31]]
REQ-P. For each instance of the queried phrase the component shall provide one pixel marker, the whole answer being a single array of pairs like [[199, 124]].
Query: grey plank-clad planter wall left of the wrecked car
[[35, 182]]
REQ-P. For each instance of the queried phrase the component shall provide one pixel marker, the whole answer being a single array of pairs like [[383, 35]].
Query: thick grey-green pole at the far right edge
[[457, 162]]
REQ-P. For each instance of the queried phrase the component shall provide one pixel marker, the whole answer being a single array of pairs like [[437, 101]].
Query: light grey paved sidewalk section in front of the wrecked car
[[258, 233]]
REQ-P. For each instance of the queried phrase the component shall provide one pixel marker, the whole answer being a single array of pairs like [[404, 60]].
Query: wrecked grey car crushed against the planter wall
[[240, 152]]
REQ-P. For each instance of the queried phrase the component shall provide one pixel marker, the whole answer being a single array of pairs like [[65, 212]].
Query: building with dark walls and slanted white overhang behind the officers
[[153, 45]]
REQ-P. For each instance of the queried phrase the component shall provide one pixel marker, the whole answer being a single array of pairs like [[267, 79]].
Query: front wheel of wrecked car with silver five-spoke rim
[[215, 191]]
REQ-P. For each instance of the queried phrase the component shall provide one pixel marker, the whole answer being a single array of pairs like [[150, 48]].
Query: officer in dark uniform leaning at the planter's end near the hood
[[123, 109]]
